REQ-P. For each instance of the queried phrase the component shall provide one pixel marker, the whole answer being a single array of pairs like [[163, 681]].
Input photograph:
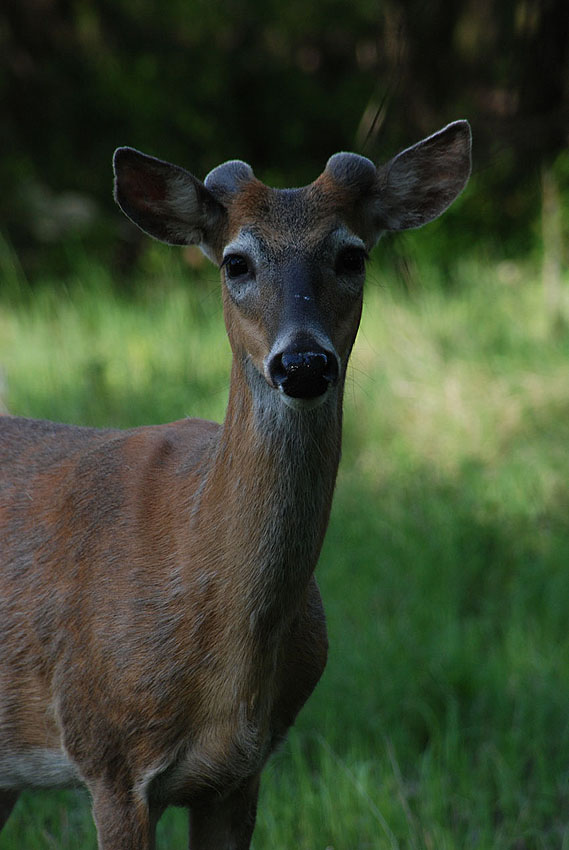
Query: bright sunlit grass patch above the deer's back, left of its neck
[[89, 355]]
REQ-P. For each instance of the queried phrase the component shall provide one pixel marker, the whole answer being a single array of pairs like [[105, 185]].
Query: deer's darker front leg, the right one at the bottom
[[226, 824]]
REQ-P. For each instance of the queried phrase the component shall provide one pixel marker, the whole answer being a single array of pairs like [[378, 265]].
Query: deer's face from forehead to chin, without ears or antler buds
[[293, 284]]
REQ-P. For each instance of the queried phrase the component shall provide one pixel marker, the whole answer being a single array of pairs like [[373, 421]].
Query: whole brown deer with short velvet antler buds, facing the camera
[[160, 624]]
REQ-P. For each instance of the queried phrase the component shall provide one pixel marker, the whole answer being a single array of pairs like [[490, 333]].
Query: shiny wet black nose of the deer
[[303, 374]]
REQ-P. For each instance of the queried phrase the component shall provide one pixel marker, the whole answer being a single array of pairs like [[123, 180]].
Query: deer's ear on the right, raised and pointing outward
[[419, 184]]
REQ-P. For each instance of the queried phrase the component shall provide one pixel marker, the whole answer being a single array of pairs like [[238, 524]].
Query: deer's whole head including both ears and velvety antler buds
[[293, 260]]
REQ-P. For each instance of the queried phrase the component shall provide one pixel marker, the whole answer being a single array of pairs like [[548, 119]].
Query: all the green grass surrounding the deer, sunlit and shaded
[[442, 721]]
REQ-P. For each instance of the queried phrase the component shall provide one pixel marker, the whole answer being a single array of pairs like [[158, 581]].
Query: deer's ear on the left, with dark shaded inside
[[166, 201]]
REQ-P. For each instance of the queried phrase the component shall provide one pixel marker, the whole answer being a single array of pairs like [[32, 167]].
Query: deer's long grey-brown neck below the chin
[[273, 476]]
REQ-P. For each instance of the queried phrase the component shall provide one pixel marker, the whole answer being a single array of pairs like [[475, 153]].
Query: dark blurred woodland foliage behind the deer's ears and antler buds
[[280, 85]]
